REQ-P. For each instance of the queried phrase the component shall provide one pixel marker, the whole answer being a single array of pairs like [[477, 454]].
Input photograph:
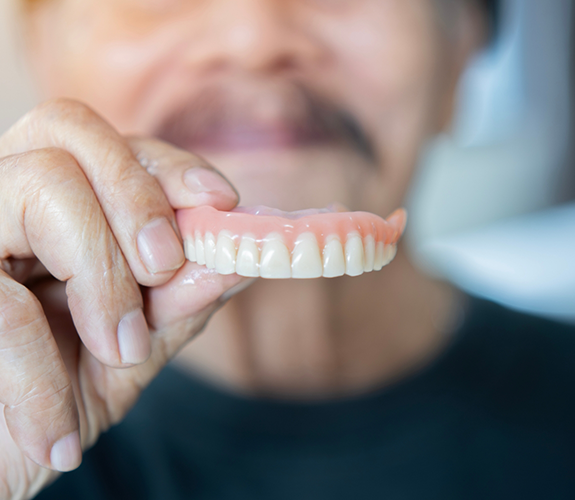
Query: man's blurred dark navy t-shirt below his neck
[[492, 418]]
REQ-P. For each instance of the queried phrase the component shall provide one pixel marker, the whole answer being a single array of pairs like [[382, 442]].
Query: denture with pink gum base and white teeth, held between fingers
[[268, 243]]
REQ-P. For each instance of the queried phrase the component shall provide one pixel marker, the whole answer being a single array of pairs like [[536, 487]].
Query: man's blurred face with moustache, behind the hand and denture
[[299, 102]]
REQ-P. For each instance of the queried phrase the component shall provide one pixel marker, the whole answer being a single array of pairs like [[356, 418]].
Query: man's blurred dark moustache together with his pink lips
[[256, 115]]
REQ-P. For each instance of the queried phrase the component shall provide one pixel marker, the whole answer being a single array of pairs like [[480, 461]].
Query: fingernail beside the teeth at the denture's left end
[[159, 247]]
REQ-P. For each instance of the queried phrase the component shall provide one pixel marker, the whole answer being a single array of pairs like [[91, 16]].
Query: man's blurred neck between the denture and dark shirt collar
[[310, 339]]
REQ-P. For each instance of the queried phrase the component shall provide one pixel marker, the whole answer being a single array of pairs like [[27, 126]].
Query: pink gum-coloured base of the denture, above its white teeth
[[207, 219]]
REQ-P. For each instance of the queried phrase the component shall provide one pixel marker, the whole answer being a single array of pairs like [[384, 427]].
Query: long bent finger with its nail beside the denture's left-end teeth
[[133, 202]]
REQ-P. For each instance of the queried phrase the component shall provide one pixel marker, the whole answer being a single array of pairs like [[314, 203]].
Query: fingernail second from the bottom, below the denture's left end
[[134, 338]]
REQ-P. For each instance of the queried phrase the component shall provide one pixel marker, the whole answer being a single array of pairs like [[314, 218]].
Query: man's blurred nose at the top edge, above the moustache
[[253, 35]]
